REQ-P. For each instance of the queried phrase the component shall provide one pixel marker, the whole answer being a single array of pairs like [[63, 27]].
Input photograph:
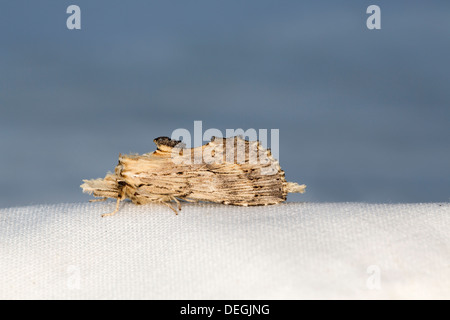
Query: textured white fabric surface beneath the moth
[[287, 251]]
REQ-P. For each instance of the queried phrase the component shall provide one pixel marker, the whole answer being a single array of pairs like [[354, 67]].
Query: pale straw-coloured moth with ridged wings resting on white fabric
[[232, 171]]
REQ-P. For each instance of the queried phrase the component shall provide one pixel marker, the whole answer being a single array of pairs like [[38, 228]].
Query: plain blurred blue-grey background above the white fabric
[[363, 115]]
